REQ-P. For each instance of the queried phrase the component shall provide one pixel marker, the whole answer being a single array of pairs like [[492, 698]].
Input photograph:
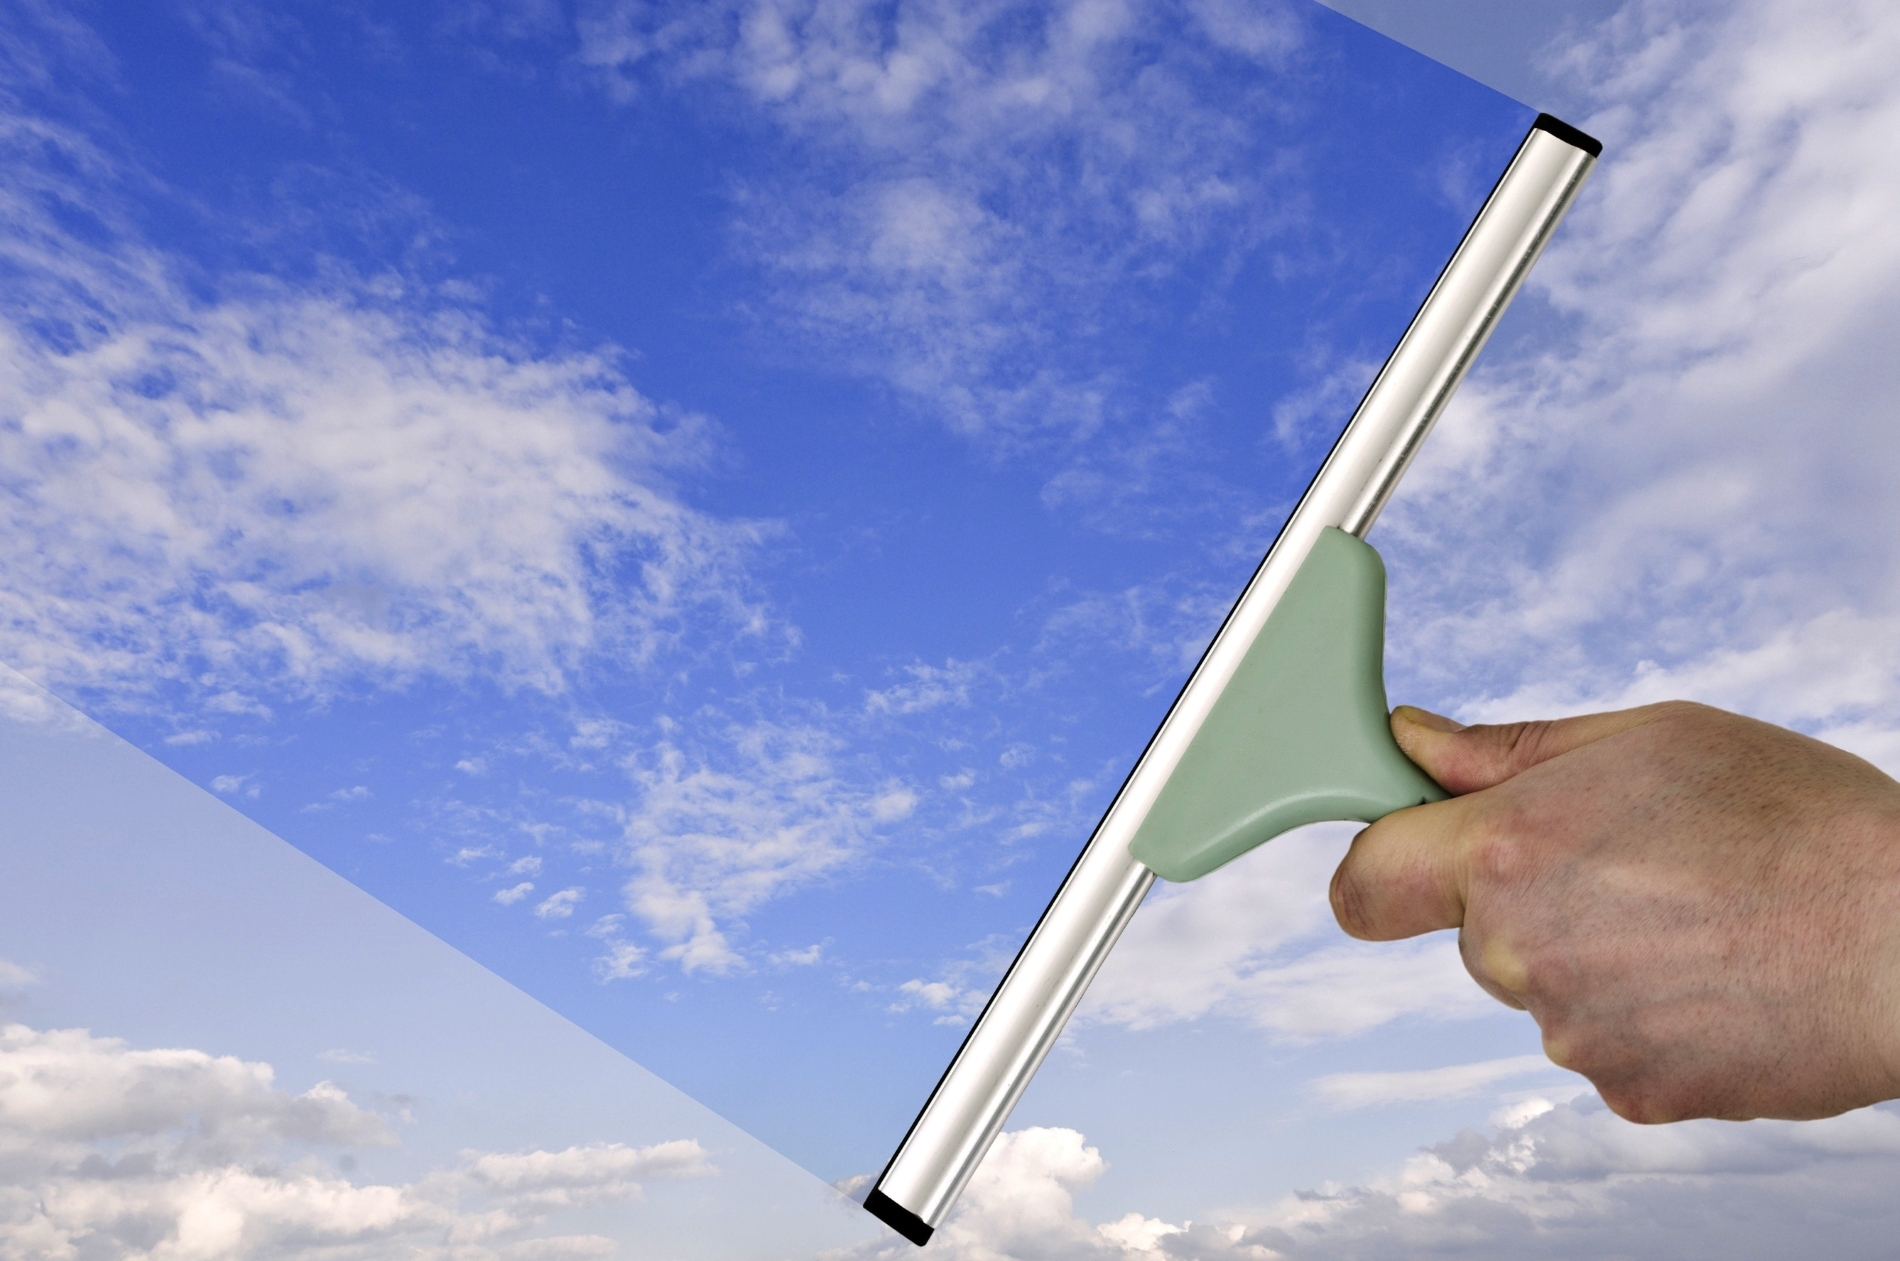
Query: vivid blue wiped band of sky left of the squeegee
[[706, 542]]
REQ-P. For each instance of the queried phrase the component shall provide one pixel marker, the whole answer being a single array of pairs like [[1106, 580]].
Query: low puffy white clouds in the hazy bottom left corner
[[123, 1152]]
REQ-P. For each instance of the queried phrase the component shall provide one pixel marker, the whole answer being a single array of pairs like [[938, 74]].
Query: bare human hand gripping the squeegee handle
[[1700, 911]]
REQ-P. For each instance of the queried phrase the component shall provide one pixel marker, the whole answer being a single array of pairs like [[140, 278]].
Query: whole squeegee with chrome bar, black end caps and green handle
[[1282, 725]]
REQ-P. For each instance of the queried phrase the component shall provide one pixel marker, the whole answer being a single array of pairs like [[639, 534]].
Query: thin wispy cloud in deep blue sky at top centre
[[983, 178]]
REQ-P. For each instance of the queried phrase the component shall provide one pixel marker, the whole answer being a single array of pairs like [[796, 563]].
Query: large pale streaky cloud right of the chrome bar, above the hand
[[1669, 495]]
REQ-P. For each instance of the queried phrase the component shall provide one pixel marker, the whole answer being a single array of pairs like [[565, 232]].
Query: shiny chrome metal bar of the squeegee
[[1107, 886]]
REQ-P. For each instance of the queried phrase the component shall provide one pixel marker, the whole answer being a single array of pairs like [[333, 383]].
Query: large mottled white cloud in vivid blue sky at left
[[286, 493]]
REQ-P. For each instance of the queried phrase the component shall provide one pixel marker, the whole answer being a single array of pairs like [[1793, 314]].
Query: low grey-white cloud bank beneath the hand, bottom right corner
[[1572, 1180]]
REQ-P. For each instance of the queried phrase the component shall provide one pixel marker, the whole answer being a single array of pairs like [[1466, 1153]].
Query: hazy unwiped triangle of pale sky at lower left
[[225, 1036]]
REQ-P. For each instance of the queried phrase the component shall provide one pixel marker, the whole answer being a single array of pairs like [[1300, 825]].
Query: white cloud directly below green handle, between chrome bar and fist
[[1257, 943]]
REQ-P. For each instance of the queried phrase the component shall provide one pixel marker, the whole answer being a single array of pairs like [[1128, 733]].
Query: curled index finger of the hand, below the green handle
[[1407, 875]]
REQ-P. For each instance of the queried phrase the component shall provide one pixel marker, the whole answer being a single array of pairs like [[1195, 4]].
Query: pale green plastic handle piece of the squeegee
[[1301, 734]]
